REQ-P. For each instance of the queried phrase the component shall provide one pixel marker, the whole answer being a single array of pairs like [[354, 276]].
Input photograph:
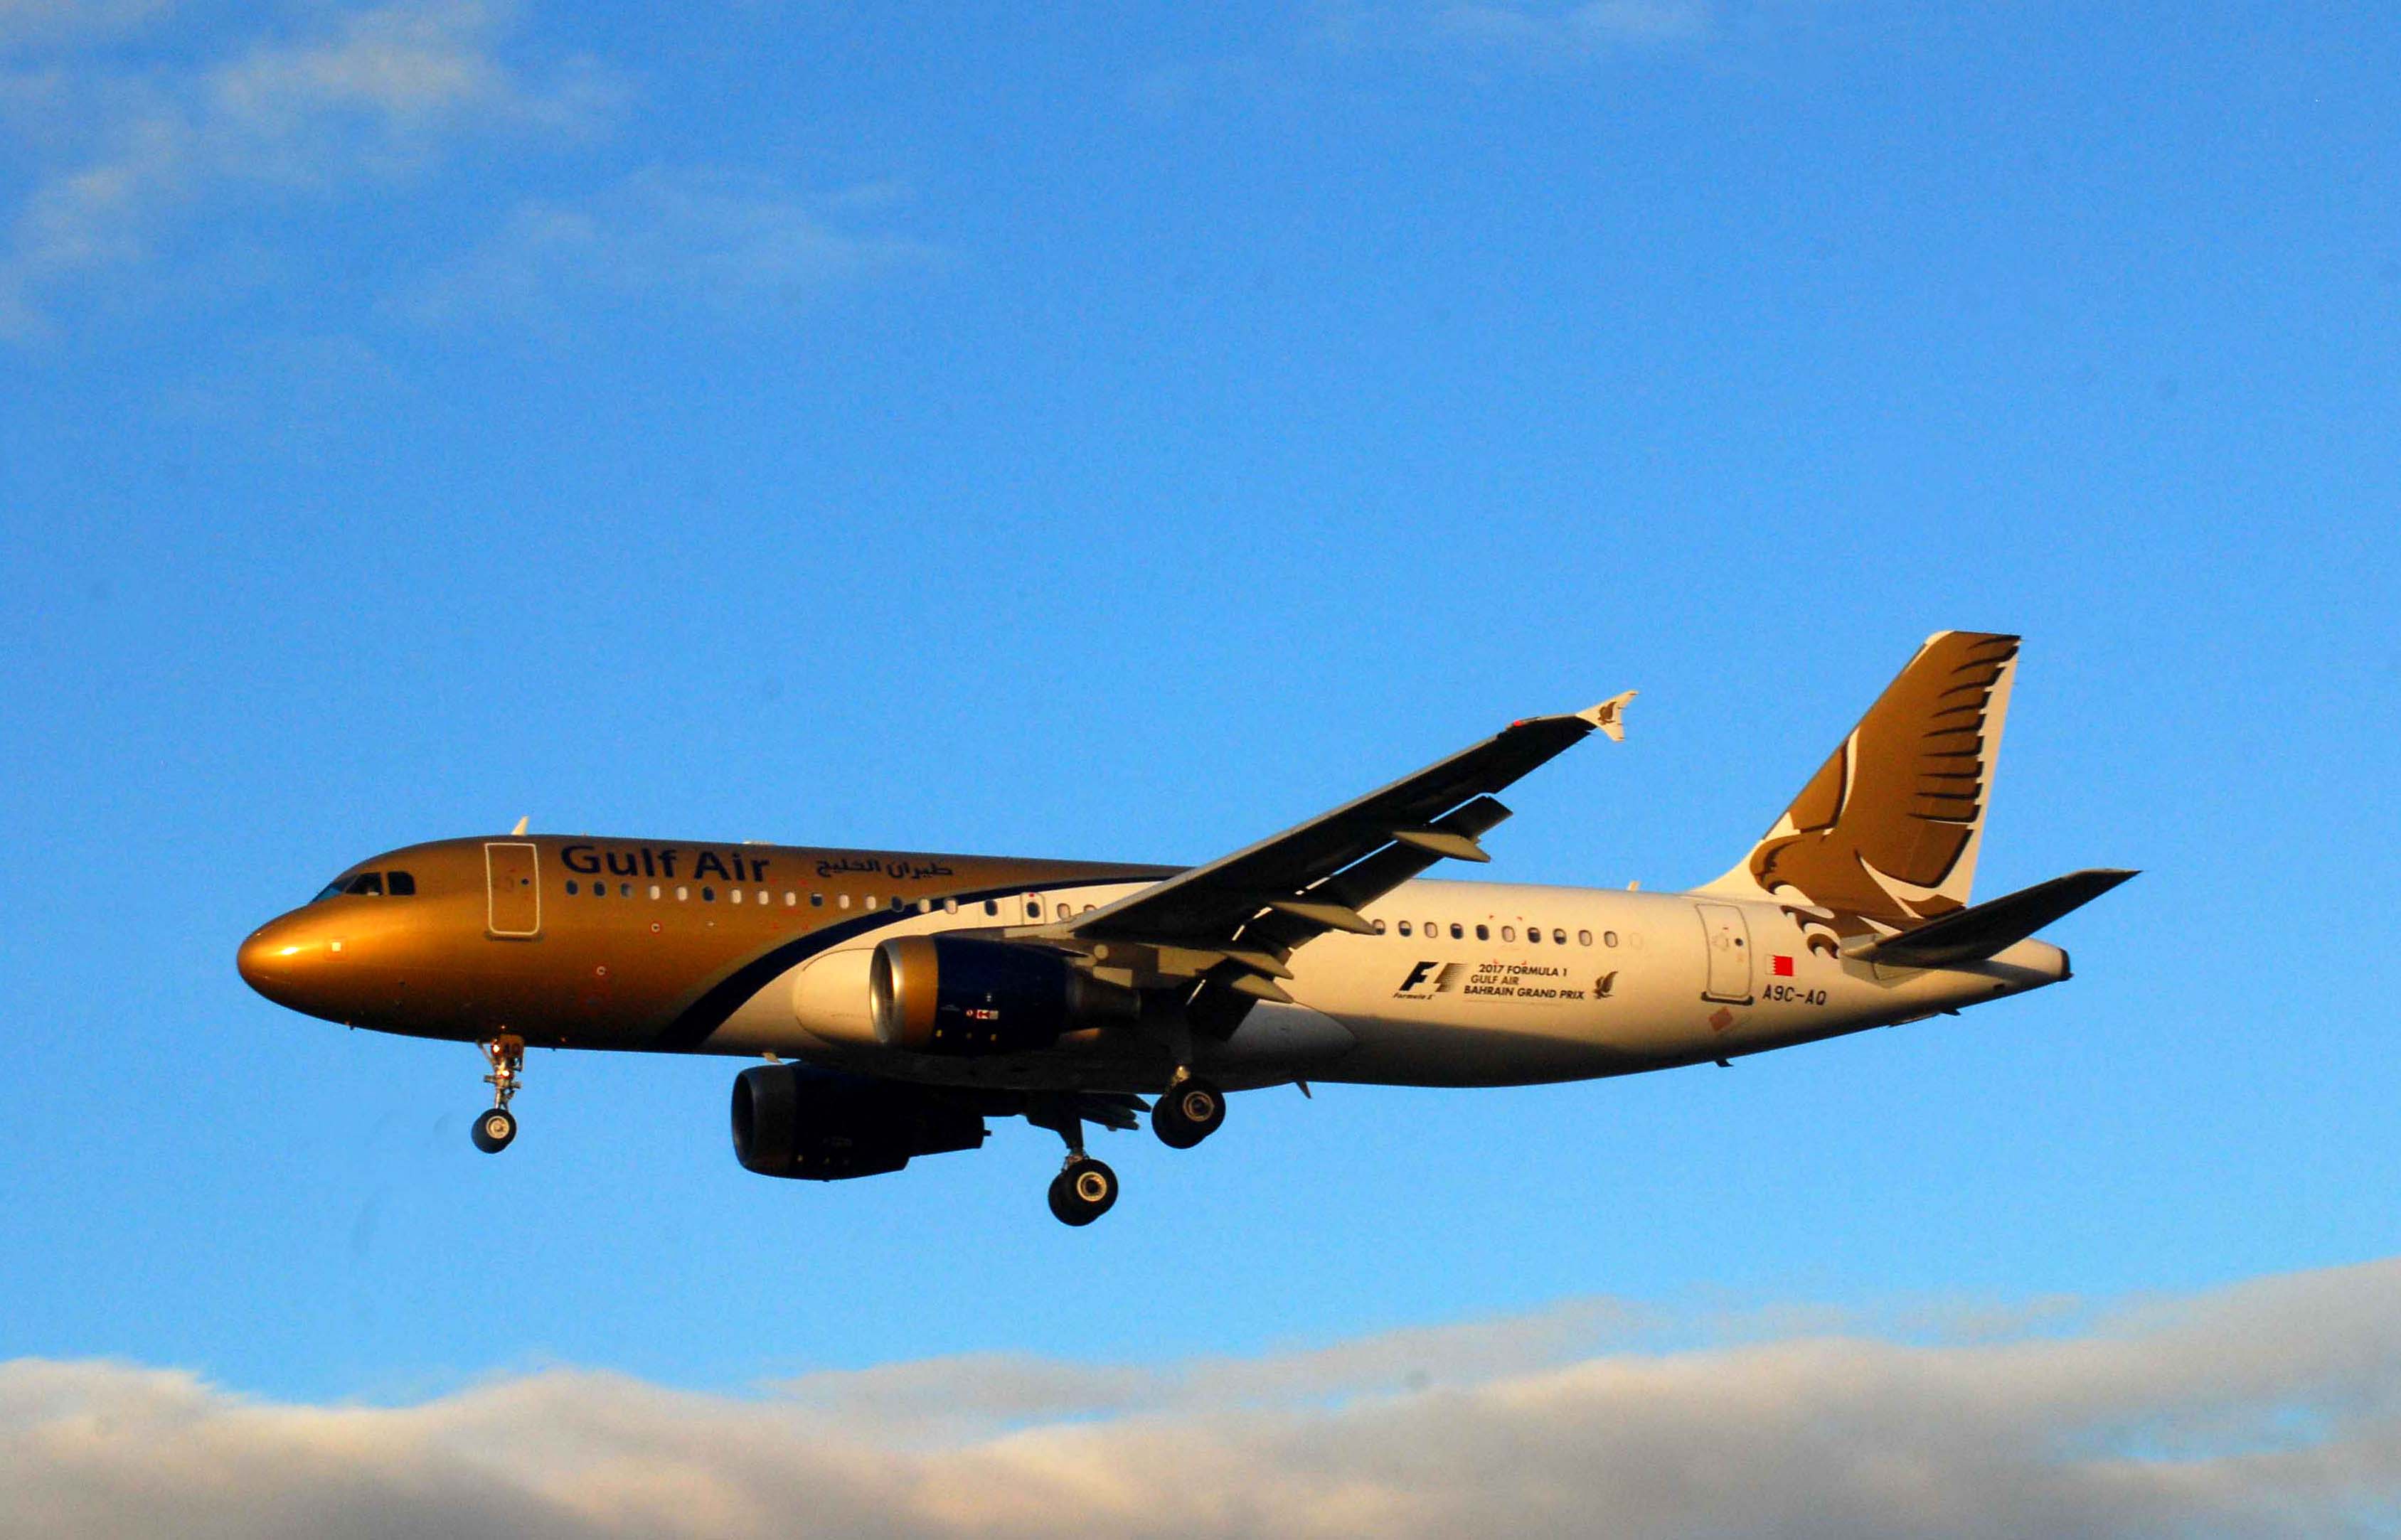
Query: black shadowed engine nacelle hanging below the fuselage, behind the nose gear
[[825, 1126]]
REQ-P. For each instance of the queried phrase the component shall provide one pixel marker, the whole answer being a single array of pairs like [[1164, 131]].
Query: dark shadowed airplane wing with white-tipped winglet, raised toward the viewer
[[1228, 930]]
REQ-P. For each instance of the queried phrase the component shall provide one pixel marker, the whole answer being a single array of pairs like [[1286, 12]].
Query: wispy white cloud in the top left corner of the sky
[[371, 95]]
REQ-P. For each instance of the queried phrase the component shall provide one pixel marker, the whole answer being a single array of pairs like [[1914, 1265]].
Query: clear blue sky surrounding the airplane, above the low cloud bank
[[1122, 435]]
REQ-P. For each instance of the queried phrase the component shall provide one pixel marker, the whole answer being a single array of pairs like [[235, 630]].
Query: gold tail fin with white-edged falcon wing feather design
[[1886, 834]]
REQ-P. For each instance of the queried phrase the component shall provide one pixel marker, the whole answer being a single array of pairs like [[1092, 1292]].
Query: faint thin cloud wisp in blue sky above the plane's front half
[[707, 239]]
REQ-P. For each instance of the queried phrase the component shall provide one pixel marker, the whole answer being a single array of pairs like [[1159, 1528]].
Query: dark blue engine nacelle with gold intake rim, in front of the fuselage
[[962, 994]]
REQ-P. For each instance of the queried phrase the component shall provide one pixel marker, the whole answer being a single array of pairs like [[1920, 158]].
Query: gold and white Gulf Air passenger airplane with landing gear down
[[902, 999]]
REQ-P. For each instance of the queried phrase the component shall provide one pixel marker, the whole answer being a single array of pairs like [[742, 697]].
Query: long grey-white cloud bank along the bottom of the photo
[[2270, 1409]]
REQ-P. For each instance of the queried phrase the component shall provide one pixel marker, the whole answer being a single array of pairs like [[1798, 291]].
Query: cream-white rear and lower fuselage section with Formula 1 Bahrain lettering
[[1639, 982]]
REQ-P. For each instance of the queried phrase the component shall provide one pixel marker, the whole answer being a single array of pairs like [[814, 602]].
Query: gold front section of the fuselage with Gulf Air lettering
[[633, 944]]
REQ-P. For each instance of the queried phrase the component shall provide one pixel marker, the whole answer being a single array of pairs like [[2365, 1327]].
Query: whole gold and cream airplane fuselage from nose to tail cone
[[762, 951]]
